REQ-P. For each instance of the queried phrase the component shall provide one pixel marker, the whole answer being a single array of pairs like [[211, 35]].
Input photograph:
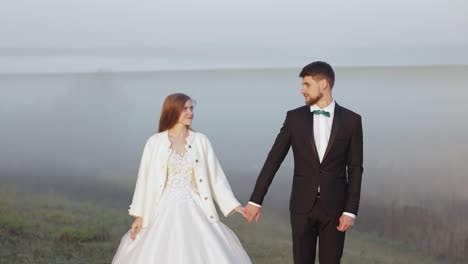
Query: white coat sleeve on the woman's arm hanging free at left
[[137, 206]]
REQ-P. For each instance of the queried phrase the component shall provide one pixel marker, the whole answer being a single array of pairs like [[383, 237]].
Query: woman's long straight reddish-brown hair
[[172, 108]]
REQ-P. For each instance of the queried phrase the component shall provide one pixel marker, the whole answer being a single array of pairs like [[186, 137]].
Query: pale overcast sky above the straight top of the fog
[[90, 35]]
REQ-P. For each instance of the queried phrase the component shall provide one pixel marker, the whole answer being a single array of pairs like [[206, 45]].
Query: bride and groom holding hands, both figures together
[[180, 178]]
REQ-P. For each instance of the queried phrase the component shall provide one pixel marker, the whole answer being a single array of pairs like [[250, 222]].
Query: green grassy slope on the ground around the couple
[[52, 228]]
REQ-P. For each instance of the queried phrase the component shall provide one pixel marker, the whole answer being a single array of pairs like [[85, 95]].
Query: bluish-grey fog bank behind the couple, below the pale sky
[[413, 119]]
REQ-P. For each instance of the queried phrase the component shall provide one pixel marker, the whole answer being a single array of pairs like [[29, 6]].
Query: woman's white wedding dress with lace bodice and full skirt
[[181, 232]]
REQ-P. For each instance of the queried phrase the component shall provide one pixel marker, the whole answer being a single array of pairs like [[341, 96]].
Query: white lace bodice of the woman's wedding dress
[[179, 172]]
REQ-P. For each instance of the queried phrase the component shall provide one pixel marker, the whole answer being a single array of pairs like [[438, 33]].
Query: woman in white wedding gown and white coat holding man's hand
[[173, 204]]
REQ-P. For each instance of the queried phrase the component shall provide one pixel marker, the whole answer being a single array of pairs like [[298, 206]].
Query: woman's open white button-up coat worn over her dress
[[210, 179]]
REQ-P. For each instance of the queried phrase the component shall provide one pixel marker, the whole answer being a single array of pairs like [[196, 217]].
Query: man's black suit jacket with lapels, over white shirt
[[340, 173]]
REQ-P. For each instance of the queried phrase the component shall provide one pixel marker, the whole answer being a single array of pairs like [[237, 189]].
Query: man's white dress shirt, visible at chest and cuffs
[[322, 130]]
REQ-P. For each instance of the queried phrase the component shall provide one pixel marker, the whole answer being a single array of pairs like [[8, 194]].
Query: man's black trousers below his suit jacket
[[306, 228]]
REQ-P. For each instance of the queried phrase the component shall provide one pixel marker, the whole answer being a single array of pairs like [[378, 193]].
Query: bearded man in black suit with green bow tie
[[328, 153]]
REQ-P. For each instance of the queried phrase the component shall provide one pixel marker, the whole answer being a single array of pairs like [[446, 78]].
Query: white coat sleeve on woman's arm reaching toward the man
[[219, 184]]
